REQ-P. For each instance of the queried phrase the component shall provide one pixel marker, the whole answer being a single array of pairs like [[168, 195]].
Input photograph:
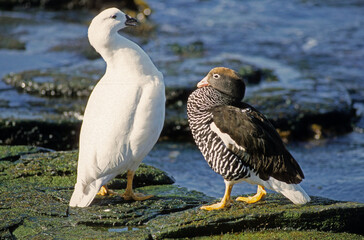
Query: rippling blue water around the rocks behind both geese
[[320, 40]]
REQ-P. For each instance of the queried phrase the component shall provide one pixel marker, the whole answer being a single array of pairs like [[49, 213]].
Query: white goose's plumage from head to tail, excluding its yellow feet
[[125, 112]]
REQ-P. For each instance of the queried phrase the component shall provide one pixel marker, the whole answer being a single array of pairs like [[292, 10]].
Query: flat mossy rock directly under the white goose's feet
[[105, 218]]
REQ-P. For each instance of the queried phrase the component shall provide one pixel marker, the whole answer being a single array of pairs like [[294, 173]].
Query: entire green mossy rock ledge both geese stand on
[[36, 185]]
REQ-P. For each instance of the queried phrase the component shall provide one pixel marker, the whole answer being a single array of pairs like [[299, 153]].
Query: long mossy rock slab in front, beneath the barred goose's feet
[[275, 212]]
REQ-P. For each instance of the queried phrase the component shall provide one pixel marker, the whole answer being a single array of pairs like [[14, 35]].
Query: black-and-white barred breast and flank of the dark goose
[[219, 158]]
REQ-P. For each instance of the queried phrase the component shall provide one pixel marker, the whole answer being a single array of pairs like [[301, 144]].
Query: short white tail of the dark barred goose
[[293, 192]]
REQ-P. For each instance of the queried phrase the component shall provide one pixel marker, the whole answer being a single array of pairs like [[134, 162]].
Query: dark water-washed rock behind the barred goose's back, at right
[[307, 110]]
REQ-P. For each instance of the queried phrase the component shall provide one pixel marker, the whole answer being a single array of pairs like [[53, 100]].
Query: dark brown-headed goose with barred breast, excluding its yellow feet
[[239, 142]]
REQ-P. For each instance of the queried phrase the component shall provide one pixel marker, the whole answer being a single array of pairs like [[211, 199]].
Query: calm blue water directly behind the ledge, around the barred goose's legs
[[333, 168]]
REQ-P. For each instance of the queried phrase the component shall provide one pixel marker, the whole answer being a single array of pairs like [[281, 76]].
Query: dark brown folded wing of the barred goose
[[264, 149]]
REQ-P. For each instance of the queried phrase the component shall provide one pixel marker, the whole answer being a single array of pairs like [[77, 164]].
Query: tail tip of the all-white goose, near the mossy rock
[[84, 194]]
